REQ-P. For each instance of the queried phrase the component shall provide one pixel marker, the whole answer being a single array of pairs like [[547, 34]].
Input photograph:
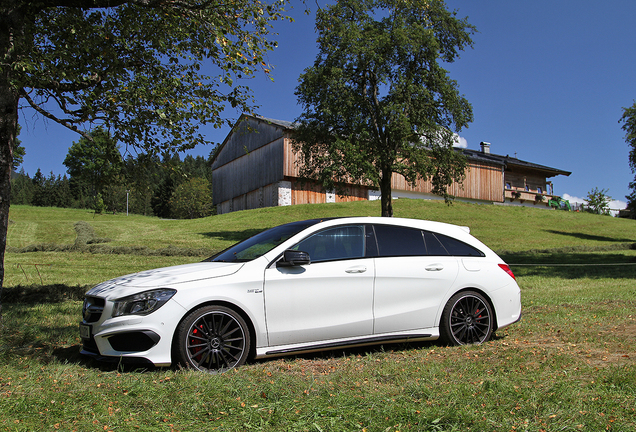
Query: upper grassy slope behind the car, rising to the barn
[[501, 228]]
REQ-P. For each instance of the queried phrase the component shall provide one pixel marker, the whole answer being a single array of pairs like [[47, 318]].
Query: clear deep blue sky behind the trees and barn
[[547, 81]]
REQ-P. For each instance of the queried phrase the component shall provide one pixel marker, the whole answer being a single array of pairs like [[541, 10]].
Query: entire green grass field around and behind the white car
[[569, 365]]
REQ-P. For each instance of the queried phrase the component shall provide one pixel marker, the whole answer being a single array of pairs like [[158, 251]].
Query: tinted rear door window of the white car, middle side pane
[[399, 241]]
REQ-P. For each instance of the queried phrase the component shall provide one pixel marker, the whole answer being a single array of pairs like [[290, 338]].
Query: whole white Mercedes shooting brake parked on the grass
[[306, 286]]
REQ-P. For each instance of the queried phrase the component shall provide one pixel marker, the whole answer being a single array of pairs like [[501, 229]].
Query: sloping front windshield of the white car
[[261, 243]]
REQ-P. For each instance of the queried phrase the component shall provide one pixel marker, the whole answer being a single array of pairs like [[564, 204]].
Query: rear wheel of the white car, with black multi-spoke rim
[[467, 319]]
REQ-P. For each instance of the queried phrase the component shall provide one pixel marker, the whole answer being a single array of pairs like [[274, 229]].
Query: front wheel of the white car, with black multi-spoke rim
[[212, 339]]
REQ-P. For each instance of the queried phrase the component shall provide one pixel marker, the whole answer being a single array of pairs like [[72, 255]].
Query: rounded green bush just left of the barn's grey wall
[[192, 199]]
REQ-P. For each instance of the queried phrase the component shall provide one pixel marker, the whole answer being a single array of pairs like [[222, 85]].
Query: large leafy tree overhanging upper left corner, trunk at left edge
[[134, 66]]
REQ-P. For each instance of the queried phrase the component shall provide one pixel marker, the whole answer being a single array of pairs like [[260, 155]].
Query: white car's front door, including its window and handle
[[331, 298]]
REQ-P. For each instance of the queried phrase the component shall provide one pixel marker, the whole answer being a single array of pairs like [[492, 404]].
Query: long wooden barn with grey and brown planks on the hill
[[255, 167]]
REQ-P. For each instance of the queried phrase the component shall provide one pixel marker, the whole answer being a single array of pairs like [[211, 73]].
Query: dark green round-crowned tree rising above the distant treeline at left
[[95, 161]]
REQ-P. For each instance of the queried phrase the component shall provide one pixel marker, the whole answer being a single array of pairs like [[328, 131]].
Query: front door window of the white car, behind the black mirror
[[334, 243]]
